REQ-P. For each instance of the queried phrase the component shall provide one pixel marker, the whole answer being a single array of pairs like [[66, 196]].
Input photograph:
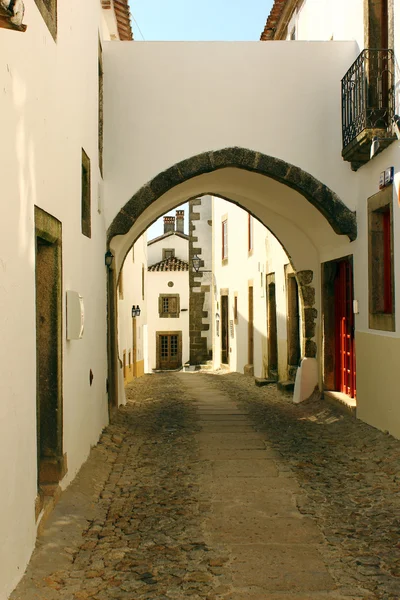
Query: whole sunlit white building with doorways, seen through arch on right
[[257, 327]]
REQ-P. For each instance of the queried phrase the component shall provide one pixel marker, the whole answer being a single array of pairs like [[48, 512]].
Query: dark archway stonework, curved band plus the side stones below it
[[340, 218]]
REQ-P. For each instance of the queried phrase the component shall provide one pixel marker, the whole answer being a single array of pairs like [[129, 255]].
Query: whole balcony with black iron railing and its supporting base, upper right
[[368, 105]]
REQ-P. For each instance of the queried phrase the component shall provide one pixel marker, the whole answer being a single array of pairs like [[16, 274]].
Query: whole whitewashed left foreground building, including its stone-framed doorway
[[55, 386]]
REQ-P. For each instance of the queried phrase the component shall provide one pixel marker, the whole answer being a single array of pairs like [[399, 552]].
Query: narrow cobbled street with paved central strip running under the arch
[[207, 487]]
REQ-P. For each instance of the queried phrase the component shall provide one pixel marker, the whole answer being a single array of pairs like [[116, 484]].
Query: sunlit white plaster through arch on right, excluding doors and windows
[[242, 269]]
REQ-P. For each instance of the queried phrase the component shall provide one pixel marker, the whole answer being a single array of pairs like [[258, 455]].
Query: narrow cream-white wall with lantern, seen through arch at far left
[[133, 294]]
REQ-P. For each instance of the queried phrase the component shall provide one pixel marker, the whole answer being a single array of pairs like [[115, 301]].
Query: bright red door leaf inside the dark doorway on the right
[[344, 324]]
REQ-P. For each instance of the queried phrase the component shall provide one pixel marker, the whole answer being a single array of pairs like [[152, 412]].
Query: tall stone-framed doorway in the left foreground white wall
[[51, 463]]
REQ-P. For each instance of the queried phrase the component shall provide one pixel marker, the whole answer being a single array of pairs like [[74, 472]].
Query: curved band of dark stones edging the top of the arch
[[340, 217]]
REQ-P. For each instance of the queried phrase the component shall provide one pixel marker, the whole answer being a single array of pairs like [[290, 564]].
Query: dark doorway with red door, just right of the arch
[[338, 327]]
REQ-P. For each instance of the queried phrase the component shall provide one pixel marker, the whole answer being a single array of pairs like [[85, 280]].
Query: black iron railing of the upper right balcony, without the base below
[[368, 93]]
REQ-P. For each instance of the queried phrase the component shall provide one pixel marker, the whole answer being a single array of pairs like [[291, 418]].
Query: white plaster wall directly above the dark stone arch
[[252, 106]]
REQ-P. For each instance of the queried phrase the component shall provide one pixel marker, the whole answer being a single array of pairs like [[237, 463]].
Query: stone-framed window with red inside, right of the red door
[[381, 271]]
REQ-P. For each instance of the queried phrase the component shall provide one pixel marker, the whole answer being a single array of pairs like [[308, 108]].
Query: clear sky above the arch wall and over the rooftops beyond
[[201, 20]]
